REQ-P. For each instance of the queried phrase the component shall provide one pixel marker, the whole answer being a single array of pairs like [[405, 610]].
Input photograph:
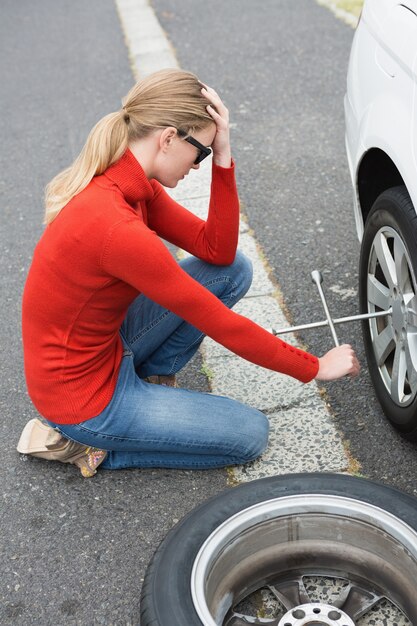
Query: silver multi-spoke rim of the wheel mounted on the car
[[391, 284]]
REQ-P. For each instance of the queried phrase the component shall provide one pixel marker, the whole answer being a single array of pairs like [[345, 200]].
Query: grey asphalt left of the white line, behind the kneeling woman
[[72, 551]]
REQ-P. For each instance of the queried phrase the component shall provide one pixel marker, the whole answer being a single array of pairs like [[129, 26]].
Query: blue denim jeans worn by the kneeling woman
[[148, 425]]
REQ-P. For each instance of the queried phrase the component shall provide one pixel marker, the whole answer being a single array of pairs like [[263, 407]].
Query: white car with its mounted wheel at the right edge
[[381, 143]]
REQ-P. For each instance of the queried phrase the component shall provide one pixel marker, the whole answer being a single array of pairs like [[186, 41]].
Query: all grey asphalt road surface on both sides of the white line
[[74, 551]]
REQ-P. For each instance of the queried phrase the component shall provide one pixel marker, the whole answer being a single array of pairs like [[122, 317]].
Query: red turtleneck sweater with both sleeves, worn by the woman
[[99, 253]]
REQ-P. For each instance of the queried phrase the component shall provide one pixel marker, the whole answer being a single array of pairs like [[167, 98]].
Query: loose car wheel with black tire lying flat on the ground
[[267, 532]]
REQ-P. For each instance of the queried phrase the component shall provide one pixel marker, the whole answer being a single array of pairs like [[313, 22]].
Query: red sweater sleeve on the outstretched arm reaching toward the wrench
[[135, 254]]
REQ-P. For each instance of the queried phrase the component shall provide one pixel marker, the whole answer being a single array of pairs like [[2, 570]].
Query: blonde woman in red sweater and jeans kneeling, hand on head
[[107, 311]]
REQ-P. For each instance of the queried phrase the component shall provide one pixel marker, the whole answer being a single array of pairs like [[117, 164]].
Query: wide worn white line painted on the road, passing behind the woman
[[303, 434]]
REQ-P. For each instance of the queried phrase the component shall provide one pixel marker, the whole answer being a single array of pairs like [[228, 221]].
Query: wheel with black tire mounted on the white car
[[388, 267]]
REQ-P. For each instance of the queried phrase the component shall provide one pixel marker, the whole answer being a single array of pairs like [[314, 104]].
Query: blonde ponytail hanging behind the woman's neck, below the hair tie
[[105, 145]]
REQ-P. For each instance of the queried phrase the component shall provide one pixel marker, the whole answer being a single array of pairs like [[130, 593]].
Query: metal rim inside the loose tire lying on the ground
[[277, 543]]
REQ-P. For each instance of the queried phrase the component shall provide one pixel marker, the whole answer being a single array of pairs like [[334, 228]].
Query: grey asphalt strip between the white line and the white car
[[281, 69]]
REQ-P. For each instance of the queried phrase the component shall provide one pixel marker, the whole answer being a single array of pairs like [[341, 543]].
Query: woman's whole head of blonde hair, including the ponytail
[[166, 98]]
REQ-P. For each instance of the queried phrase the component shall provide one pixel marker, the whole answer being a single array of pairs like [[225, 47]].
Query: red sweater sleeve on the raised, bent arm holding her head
[[214, 240]]
